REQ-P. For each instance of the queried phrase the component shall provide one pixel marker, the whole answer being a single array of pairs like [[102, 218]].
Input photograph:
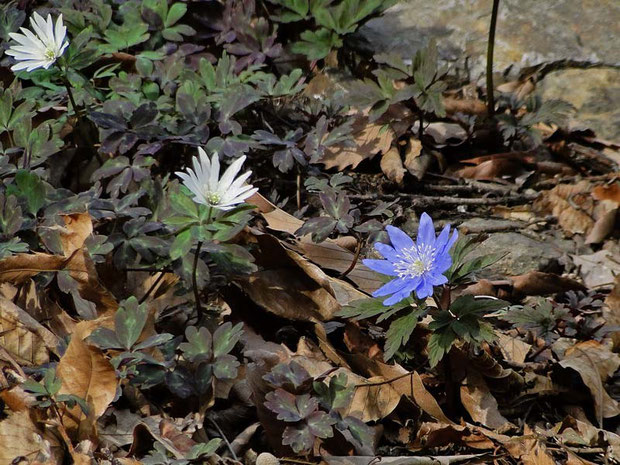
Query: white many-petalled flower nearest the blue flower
[[209, 189]]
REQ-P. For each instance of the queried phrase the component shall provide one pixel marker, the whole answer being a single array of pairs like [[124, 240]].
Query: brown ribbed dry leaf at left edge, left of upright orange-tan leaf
[[24, 338]]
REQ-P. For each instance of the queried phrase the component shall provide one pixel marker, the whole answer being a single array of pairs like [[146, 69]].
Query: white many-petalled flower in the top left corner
[[40, 50]]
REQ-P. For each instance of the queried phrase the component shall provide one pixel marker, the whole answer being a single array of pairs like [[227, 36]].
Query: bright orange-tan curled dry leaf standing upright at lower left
[[86, 373]]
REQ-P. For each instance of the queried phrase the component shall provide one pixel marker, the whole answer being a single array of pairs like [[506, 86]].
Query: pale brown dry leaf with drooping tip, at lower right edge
[[595, 363]]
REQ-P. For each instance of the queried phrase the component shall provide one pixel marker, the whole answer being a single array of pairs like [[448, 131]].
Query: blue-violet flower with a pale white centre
[[416, 266]]
